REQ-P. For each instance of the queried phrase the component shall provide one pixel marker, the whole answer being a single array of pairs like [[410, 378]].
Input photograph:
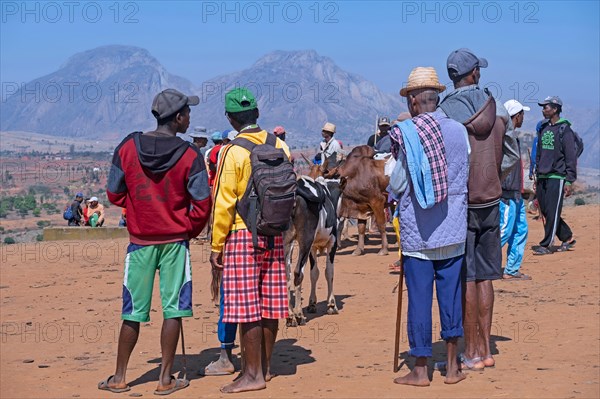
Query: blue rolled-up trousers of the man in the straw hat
[[420, 275]]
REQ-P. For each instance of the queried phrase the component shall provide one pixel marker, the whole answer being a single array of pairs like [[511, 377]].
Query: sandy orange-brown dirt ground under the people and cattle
[[60, 307]]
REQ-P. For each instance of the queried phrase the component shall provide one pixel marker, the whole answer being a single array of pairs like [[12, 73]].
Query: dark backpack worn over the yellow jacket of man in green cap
[[266, 206]]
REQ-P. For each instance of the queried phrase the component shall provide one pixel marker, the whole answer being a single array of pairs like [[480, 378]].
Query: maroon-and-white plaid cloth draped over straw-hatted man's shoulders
[[430, 135]]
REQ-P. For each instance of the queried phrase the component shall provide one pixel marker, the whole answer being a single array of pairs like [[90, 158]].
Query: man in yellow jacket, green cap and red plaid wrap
[[254, 283]]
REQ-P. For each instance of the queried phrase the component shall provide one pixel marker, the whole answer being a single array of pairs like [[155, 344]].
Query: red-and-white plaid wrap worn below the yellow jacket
[[254, 282]]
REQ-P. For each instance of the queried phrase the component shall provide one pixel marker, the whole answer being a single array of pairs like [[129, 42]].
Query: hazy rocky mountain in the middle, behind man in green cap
[[302, 90]]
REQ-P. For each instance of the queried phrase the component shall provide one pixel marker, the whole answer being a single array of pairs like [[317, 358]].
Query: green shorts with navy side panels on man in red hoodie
[[172, 261]]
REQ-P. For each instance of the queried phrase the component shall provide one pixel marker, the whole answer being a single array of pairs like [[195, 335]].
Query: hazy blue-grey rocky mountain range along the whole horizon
[[106, 92]]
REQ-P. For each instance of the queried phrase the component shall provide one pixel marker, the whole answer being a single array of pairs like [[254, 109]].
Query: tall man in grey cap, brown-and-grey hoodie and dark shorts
[[493, 154]]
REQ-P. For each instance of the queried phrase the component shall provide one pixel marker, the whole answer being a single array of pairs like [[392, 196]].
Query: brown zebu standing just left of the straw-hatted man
[[364, 192]]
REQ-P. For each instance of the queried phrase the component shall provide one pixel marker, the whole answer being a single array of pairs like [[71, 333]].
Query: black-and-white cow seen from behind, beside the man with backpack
[[314, 228]]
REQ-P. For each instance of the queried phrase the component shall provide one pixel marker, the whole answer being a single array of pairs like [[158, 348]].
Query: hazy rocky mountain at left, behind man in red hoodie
[[104, 92]]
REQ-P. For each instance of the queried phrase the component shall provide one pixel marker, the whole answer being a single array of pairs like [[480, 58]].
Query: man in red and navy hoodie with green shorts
[[162, 181]]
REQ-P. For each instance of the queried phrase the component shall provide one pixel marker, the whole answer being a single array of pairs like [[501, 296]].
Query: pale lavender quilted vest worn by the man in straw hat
[[446, 222]]
